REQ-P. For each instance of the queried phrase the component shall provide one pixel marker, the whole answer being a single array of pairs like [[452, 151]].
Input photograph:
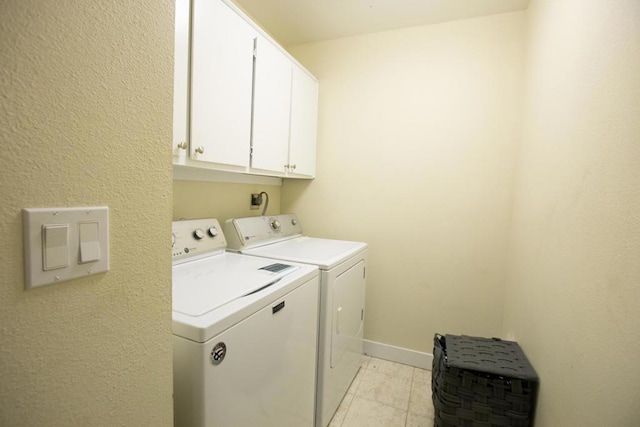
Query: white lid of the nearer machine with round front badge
[[206, 284]]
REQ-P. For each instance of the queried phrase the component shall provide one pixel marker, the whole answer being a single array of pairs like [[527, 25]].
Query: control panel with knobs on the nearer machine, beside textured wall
[[196, 237]]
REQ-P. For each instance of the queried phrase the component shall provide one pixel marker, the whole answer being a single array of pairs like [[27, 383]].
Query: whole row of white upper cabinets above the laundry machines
[[241, 103]]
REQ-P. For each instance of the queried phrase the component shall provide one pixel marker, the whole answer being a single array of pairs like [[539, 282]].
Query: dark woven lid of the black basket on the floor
[[489, 355]]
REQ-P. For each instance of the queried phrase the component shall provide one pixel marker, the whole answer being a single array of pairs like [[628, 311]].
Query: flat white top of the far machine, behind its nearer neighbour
[[325, 253]]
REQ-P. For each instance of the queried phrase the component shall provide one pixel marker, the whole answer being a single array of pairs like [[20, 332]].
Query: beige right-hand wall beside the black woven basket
[[573, 295]]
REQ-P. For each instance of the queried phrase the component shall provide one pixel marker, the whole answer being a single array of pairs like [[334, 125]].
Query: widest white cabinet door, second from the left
[[221, 73]]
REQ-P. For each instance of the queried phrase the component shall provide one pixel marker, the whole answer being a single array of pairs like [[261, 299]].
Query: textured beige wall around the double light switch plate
[[85, 119]]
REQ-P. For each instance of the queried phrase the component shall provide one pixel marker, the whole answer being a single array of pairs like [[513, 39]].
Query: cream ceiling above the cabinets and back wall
[[293, 22]]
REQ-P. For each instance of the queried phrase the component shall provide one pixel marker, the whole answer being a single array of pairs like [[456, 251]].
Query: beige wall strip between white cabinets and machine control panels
[[192, 199]]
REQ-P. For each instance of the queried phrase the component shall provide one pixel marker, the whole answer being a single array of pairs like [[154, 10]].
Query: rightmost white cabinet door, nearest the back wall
[[304, 124]]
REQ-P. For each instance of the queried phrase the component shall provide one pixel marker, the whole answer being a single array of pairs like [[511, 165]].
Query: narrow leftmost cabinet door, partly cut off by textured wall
[[180, 142]]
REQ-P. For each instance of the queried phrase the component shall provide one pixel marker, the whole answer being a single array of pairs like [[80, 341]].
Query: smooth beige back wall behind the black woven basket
[[418, 131]]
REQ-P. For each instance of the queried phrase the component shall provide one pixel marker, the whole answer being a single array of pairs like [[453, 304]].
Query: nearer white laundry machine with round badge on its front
[[245, 333]]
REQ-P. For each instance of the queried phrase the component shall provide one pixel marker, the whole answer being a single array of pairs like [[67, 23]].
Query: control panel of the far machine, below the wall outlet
[[244, 233]]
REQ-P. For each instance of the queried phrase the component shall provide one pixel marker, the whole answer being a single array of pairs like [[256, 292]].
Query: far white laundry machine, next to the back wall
[[342, 292]]
